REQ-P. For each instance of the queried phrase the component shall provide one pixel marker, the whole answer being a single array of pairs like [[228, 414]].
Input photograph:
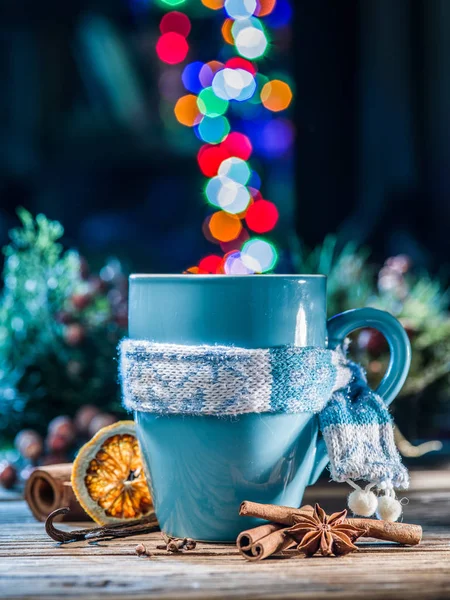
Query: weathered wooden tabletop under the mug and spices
[[33, 566]]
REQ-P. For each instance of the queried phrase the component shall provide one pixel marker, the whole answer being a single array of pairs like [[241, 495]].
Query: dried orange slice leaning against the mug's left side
[[108, 476]]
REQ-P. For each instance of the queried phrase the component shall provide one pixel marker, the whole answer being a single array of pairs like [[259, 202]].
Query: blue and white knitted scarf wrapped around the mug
[[229, 381]]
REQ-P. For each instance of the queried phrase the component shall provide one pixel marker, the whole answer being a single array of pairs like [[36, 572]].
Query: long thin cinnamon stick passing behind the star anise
[[401, 533]]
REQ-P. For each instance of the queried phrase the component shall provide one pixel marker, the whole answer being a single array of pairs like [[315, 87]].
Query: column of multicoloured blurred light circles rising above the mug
[[236, 89]]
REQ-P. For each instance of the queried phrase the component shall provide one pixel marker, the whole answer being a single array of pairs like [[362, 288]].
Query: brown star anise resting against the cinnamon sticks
[[327, 533]]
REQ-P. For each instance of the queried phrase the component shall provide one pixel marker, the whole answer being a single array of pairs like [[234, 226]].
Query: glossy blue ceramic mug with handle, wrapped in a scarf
[[202, 467]]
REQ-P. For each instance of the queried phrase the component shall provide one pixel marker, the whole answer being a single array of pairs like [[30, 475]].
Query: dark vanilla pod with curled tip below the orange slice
[[147, 524]]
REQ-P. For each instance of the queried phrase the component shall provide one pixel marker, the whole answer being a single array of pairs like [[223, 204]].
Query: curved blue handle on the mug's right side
[[339, 327]]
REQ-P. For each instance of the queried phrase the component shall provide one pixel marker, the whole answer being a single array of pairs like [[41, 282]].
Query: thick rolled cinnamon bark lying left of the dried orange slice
[[49, 488]]
